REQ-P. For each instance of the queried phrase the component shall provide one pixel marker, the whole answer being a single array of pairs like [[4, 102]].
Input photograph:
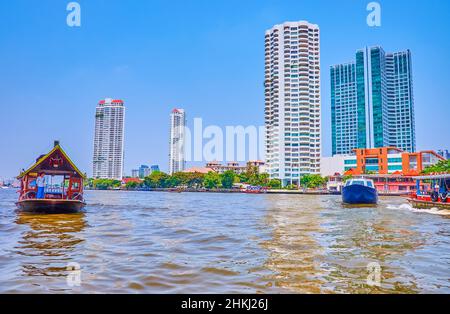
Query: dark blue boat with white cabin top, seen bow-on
[[359, 191]]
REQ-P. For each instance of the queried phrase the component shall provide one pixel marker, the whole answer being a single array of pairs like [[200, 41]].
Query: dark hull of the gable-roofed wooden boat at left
[[51, 206]]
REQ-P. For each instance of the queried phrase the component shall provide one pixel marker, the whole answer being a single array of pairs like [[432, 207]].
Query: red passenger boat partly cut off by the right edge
[[432, 191]]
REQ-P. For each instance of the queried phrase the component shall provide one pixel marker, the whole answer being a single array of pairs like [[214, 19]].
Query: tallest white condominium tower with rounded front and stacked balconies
[[292, 101]]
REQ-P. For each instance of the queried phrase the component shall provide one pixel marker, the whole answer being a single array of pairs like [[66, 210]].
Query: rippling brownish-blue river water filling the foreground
[[152, 242]]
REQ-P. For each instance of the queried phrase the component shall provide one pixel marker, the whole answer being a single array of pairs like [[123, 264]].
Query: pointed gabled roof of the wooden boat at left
[[56, 162]]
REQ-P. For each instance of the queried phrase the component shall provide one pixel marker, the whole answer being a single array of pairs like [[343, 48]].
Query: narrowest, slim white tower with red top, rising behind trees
[[177, 137]]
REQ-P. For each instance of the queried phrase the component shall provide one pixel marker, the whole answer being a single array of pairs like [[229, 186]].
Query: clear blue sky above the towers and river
[[204, 56]]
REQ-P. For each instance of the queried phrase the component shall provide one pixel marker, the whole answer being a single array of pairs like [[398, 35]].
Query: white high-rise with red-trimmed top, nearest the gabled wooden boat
[[109, 139]]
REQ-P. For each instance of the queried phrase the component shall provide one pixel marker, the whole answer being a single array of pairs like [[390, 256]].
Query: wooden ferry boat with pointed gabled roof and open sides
[[64, 185]]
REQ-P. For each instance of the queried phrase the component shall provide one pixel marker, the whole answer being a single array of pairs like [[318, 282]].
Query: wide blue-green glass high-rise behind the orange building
[[372, 102]]
